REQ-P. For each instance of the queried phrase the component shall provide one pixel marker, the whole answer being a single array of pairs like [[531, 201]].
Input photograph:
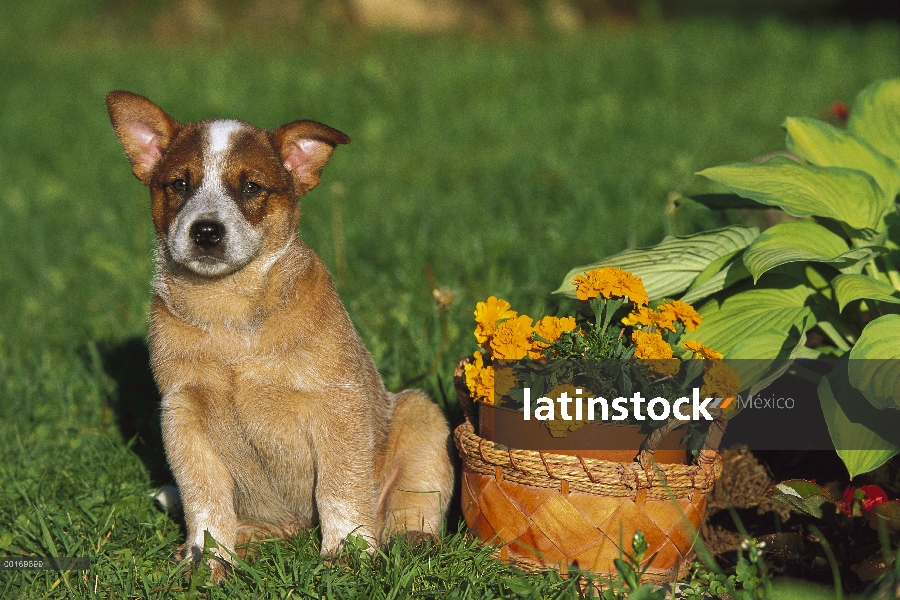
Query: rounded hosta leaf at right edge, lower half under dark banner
[[875, 362]]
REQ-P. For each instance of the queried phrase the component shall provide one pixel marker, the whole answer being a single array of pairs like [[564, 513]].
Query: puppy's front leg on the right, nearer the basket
[[346, 495]]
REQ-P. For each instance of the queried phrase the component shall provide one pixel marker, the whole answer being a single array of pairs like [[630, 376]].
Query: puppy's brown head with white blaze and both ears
[[223, 192]]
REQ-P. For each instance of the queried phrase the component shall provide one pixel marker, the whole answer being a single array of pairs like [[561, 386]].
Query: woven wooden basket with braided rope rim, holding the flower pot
[[553, 510]]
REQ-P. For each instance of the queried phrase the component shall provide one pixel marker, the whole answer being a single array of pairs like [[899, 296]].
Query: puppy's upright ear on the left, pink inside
[[143, 128]]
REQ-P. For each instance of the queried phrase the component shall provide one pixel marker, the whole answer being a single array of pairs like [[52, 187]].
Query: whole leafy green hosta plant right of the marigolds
[[831, 267]]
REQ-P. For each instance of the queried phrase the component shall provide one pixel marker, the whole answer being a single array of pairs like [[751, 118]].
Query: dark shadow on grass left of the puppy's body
[[136, 403]]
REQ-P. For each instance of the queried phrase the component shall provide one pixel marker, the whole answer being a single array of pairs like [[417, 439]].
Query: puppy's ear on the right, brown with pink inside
[[305, 147]]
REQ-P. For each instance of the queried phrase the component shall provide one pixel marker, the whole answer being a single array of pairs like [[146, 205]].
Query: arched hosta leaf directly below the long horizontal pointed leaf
[[795, 241]]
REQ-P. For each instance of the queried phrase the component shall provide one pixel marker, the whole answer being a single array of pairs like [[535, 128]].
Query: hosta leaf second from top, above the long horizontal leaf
[[827, 146]]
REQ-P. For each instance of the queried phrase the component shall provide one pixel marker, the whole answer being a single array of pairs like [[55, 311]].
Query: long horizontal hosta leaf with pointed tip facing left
[[846, 195]]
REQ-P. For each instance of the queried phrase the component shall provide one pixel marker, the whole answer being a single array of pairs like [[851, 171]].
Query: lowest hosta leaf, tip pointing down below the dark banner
[[863, 436]]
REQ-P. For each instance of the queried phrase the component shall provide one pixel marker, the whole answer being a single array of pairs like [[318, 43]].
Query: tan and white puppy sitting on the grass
[[274, 416]]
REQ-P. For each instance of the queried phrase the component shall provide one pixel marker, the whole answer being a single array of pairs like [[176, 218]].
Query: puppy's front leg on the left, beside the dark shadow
[[204, 482]]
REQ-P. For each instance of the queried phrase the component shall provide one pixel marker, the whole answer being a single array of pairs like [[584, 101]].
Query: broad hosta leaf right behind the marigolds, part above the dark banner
[[782, 307]]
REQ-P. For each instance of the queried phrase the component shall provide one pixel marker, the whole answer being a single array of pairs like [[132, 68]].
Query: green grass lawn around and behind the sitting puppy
[[501, 163]]
